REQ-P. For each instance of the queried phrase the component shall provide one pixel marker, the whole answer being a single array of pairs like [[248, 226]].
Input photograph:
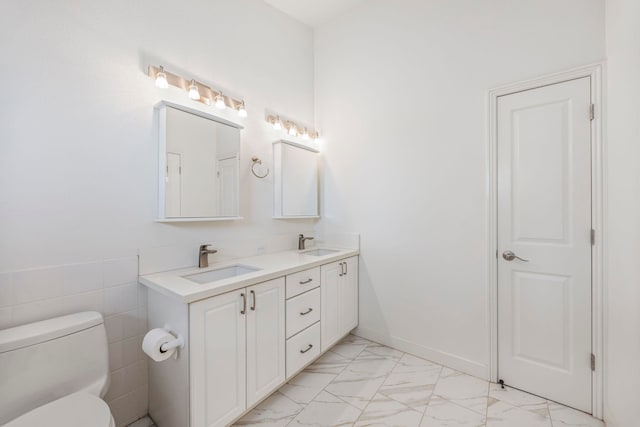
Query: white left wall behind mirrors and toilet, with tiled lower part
[[78, 161]]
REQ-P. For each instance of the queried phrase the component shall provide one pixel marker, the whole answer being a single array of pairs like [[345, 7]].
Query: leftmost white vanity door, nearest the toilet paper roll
[[217, 357]]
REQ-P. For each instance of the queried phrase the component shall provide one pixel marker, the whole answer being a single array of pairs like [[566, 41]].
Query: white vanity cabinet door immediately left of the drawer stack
[[265, 339]]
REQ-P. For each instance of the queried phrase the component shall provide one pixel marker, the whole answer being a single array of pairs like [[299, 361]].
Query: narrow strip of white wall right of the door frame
[[623, 214]]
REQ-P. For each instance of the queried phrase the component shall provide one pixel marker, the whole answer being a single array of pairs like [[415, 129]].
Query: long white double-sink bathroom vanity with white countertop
[[248, 325]]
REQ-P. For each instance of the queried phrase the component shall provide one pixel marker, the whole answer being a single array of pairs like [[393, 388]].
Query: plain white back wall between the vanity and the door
[[401, 100]]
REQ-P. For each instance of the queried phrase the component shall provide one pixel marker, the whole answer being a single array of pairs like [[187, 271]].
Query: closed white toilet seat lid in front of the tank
[[75, 410]]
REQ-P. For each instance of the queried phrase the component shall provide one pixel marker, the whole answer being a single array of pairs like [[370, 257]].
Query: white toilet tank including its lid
[[43, 361]]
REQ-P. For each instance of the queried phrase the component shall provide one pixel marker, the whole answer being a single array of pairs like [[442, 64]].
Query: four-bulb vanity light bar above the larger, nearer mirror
[[197, 91]]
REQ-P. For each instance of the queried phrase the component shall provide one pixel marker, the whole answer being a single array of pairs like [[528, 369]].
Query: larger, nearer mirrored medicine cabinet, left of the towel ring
[[199, 158]]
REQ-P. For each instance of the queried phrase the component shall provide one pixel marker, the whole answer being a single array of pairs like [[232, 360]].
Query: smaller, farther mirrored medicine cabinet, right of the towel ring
[[295, 180]]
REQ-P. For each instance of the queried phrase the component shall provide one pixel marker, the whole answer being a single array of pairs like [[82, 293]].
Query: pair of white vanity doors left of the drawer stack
[[237, 351]]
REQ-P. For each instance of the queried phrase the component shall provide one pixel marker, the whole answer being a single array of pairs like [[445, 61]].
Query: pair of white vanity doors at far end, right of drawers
[[339, 300]]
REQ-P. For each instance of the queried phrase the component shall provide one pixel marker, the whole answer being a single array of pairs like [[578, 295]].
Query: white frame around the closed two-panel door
[[596, 72]]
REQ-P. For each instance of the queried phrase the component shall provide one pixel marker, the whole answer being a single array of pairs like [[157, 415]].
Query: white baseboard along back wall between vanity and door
[[446, 359]]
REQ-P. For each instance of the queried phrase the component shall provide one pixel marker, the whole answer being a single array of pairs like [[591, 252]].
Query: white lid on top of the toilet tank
[[45, 330]]
